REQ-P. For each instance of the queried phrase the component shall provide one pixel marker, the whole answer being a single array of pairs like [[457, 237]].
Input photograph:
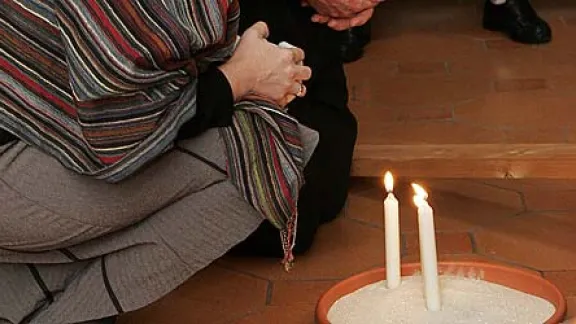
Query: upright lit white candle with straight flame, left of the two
[[392, 234]]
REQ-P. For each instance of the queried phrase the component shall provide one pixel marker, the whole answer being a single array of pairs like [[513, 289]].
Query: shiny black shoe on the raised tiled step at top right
[[518, 20]]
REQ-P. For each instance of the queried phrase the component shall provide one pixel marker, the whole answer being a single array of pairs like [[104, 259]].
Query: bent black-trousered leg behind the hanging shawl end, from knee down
[[327, 180]]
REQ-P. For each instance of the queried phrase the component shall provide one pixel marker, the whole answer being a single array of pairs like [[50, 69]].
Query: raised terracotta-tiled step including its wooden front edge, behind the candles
[[432, 75]]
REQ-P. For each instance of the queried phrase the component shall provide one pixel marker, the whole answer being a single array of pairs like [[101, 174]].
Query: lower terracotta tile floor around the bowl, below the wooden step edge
[[532, 228]]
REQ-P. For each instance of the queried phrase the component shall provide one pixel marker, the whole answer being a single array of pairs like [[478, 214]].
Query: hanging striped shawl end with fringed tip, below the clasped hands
[[266, 164]]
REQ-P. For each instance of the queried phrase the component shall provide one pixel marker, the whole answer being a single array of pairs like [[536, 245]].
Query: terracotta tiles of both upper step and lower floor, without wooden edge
[[432, 75]]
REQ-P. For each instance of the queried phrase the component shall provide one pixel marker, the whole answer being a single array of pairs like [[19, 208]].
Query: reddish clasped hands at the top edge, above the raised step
[[341, 8]]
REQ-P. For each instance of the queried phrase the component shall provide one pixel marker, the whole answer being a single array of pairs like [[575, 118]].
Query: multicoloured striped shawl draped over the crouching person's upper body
[[104, 85]]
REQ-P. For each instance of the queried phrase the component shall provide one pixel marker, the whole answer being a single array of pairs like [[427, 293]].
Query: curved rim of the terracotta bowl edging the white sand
[[323, 305]]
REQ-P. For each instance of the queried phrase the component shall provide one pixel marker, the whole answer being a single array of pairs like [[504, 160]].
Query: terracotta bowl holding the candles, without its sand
[[515, 278]]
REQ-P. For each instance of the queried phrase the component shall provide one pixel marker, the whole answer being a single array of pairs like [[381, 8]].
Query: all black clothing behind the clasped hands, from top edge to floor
[[324, 109]]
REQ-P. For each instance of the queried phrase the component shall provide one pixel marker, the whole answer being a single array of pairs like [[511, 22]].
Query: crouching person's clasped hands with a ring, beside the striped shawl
[[263, 70]]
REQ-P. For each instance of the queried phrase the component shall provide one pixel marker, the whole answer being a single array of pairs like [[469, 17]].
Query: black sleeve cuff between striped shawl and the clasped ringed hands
[[214, 104]]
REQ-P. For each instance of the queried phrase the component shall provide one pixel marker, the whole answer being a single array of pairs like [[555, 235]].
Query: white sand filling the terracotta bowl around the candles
[[464, 301]]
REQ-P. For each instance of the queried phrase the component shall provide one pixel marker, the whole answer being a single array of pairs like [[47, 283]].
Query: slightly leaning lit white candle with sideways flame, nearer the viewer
[[428, 257]]
